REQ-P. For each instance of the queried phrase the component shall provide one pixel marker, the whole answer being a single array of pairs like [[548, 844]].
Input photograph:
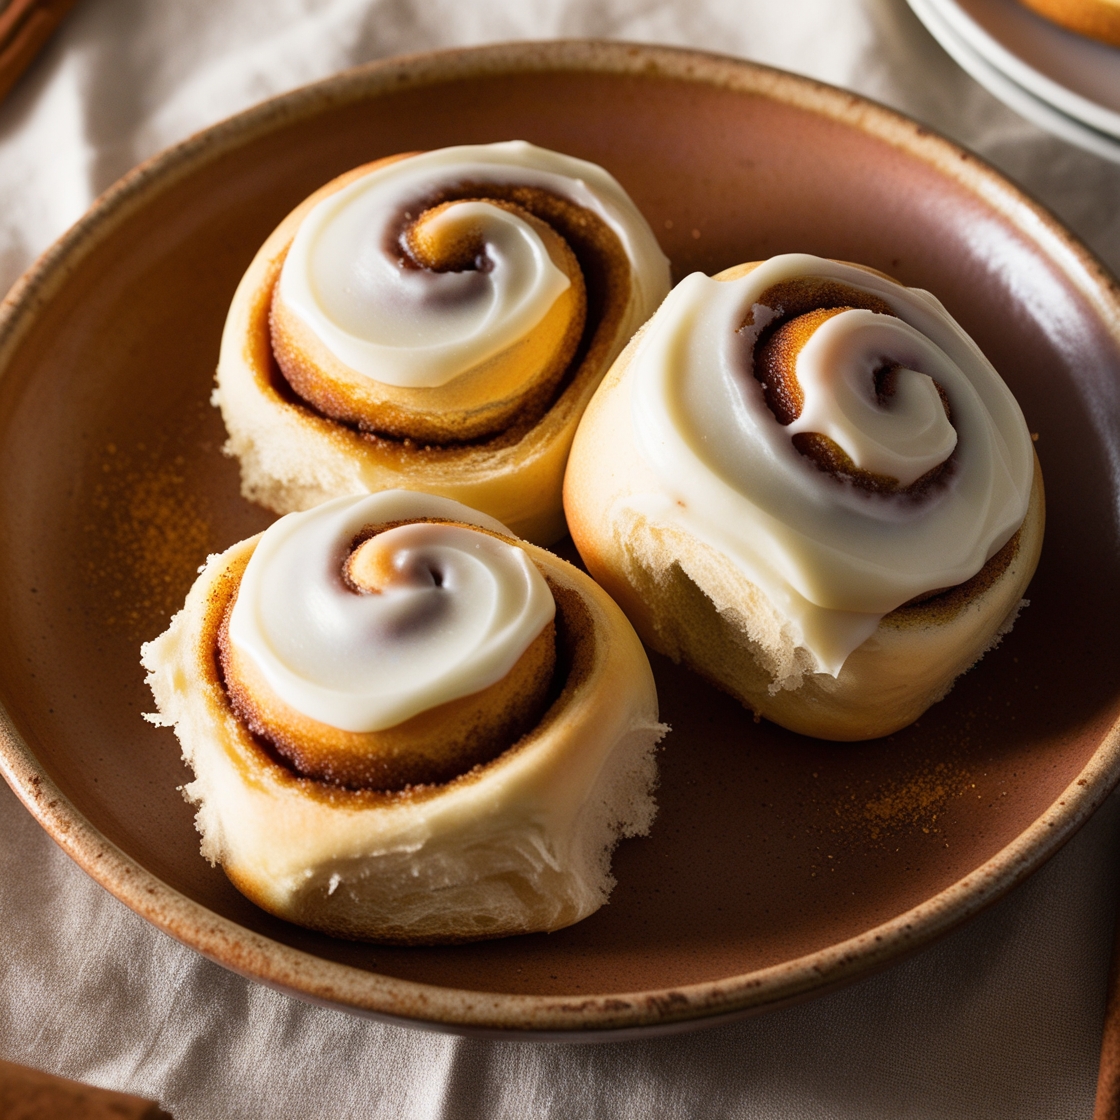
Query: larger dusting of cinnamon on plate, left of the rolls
[[147, 537]]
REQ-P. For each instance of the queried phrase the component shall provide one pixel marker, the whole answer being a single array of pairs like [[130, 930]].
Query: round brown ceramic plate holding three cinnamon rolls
[[779, 866]]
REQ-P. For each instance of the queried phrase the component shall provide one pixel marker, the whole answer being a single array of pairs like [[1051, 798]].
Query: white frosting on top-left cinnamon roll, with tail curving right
[[419, 329]]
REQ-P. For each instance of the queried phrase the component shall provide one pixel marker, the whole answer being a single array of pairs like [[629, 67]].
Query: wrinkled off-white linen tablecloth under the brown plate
[[1002, 1020]]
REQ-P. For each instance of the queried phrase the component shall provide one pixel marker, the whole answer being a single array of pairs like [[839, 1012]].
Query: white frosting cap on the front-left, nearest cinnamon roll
[[459, 613]]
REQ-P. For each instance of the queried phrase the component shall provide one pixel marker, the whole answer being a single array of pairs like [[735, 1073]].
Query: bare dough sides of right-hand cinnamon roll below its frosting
[[690, 602]]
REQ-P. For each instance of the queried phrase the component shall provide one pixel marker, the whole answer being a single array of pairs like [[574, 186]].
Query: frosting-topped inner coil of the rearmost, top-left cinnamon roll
[[437, 297]]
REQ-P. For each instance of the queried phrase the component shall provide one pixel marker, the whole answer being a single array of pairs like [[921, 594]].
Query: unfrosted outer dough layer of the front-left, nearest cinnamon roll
[[519, 845]]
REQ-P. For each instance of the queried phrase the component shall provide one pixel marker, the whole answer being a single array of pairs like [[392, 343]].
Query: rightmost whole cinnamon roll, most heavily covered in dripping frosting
[[806, 481]]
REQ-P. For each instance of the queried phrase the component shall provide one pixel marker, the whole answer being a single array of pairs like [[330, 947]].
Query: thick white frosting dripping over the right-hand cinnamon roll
[[833, 558]]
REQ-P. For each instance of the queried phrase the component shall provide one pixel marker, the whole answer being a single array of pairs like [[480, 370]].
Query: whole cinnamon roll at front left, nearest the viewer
[[408, 726]]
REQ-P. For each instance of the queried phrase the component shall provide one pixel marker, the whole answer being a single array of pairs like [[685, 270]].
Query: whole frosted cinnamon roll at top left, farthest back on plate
[[436, 321]]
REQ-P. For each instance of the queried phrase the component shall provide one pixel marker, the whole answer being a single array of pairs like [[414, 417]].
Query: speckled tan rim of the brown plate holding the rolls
[[610, 1016]]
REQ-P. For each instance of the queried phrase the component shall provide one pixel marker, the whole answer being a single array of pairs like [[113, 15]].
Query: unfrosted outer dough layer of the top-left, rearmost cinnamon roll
[[294, 458]]
